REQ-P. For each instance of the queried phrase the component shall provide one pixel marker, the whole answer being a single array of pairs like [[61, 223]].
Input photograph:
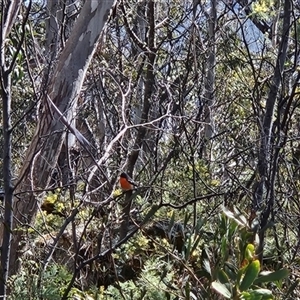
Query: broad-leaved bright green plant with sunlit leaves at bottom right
[[243, 280]]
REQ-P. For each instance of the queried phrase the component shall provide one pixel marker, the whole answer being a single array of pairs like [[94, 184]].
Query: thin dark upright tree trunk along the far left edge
[[9, 12]]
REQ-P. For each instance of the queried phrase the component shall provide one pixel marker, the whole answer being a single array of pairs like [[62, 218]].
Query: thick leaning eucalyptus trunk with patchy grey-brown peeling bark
[[63, 90]]
